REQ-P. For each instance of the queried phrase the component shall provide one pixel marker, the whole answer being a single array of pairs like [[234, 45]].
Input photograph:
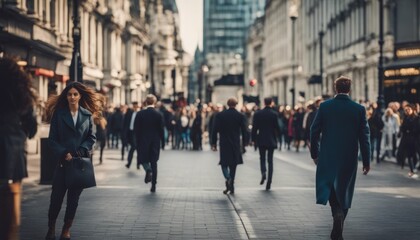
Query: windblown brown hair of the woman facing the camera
[[90, 100]]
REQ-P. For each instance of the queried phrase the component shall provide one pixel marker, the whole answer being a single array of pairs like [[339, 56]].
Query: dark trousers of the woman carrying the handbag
[[59, 189]]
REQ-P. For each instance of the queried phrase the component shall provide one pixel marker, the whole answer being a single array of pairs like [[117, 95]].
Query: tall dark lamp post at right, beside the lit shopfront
[[381, 100]]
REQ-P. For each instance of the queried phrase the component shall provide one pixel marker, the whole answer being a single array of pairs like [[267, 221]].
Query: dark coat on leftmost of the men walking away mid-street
[[149, 134]]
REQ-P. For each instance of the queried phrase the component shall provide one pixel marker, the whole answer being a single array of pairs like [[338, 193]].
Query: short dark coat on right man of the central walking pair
[[265, 128]]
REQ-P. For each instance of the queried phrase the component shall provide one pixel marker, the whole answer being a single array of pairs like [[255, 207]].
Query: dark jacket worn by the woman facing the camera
[[65, 138]]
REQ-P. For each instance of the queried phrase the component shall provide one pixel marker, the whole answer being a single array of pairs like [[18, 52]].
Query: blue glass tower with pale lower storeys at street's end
[[224, 34]]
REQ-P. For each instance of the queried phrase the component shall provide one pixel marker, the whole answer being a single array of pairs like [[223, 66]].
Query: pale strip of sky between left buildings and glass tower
[[191, 24]]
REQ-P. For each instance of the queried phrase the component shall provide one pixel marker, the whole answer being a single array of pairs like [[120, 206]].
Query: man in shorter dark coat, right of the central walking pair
[[265, 129]]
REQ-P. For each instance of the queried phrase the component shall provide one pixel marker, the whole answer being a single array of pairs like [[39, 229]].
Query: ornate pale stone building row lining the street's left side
[[117, 48]]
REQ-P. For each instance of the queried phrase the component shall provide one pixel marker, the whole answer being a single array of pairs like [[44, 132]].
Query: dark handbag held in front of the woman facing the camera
[[80, 173]]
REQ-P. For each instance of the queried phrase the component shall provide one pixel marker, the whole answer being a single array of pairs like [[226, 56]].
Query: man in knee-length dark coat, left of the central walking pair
[[230, 124]]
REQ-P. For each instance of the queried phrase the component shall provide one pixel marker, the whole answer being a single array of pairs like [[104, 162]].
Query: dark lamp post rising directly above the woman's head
[[76, 66]]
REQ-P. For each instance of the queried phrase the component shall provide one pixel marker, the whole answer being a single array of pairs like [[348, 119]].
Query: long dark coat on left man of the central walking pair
[[230, 125]]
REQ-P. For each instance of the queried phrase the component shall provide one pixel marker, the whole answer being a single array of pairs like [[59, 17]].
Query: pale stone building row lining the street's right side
[[334, 38]]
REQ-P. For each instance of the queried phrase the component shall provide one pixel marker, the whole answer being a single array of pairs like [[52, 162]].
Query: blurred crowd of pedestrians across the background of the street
[[394, 133]]
